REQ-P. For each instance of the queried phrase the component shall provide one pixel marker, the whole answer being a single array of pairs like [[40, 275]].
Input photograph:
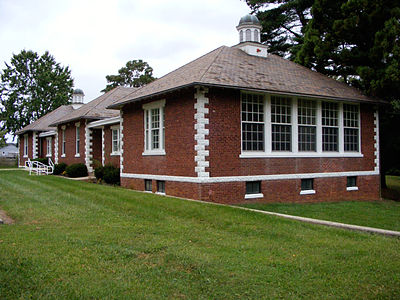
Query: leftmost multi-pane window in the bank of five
[[252, 122]]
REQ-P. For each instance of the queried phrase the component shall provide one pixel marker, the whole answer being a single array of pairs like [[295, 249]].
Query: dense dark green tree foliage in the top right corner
[[357, 41]]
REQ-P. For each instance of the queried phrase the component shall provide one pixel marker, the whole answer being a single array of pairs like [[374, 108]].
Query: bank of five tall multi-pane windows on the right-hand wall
[[290, 126]]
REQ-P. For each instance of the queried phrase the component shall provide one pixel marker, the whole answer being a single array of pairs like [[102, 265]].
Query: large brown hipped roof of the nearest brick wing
[[231, 67]]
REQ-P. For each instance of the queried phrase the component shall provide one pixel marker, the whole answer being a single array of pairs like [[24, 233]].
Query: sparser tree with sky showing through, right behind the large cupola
[[283, 23]]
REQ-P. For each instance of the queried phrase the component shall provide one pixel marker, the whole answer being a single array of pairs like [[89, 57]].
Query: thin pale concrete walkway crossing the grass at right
[[327, 223]]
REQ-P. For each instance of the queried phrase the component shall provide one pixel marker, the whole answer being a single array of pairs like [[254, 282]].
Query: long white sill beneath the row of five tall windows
[[298, 154]]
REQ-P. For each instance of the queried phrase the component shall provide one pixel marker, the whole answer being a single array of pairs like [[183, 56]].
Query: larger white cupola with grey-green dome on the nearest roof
[[249, 30]]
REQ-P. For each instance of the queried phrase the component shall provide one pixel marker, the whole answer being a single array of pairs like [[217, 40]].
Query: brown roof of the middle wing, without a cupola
[[96, 109]]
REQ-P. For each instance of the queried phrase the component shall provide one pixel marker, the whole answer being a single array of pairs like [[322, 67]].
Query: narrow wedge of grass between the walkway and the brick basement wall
[[380, 214]]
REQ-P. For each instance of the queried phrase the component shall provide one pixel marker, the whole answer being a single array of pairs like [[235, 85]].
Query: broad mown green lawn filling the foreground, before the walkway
[[80, 240]]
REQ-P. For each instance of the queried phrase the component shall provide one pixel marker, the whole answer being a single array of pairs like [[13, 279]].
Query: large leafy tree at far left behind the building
[[30, 87]]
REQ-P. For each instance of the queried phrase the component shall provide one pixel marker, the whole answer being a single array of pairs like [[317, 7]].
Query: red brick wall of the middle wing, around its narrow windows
[[70, 143]]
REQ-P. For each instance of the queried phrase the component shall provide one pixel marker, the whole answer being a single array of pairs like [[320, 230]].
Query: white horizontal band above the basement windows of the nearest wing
[[248, 178]]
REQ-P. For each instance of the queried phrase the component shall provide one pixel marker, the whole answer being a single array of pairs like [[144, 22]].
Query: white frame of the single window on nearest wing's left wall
[[148, 130]]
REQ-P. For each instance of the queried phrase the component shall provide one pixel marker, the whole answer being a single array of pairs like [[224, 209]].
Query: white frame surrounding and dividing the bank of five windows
[[294, 122]]
